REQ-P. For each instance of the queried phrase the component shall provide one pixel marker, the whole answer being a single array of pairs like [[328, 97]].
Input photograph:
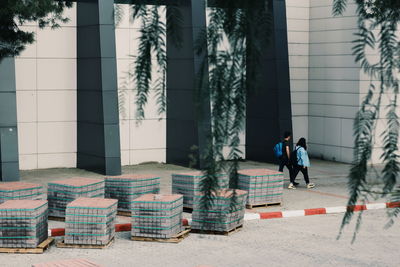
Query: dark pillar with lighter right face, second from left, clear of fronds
[[98, 122]]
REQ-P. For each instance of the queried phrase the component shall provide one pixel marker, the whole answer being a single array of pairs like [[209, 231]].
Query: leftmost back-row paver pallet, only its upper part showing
[[21, 190]]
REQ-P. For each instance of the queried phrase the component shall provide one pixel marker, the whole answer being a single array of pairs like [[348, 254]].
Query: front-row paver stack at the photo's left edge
[[23, 223]]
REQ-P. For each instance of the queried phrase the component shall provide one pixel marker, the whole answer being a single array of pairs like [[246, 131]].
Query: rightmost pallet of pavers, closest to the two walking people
[[264, 186]]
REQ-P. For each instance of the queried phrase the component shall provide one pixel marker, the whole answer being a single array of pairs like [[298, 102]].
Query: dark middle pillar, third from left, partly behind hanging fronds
[[188, 107]]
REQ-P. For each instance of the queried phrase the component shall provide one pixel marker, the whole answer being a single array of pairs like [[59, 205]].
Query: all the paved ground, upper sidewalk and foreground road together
[[301, 241]]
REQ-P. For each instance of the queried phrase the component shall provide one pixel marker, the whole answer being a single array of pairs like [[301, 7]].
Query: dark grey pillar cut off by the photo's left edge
[[9, 166]]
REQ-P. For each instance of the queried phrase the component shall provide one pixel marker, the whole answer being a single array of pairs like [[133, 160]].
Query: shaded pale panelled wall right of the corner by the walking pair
[[334, 80]]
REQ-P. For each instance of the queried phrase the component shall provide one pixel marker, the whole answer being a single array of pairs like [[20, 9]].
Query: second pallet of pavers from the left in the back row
[[62, 192]]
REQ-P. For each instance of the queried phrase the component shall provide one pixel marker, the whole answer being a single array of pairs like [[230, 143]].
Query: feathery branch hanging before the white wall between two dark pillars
[[152, 43]]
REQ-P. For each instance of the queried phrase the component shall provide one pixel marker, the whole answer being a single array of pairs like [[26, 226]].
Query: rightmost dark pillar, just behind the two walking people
[[268, 104]]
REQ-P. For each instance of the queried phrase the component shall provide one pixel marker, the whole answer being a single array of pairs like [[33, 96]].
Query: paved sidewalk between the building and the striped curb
[[330, 179]]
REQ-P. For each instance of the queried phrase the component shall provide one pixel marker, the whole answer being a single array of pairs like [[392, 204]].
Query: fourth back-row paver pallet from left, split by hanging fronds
[[188, 184]]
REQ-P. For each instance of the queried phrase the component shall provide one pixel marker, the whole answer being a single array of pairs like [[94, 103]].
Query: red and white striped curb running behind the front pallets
[[270, 215]]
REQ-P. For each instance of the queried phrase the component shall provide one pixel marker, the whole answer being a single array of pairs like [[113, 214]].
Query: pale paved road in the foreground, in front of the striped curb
[[302, 241]]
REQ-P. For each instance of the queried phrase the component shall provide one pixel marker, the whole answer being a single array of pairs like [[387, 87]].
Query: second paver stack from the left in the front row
[[90, 221]]
